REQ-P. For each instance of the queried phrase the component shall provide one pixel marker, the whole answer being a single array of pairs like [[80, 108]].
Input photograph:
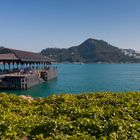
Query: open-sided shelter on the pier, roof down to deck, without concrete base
[[14, 61]]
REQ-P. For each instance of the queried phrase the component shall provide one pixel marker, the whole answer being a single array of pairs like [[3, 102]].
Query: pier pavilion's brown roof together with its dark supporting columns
[[22, 58]]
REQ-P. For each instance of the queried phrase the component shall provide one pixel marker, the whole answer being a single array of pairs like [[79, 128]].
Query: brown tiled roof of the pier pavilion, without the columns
[[23, 56]]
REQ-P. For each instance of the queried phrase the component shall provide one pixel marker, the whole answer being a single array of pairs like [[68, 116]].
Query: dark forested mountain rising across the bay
[[90, 51]]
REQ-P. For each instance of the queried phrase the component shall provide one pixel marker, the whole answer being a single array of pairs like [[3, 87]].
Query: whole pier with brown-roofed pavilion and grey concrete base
[[23, 70]]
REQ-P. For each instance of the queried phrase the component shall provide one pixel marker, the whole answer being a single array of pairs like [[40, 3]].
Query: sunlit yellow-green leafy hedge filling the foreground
[[103, 116]]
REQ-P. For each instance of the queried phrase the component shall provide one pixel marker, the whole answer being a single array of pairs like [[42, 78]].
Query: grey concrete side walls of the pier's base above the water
[[25, 81]]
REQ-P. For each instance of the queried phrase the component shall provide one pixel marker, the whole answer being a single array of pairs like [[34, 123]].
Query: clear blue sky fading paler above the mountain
[[37, 24]]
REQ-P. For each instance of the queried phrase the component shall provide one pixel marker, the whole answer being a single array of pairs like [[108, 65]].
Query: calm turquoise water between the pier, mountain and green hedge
[[75, 78]]
